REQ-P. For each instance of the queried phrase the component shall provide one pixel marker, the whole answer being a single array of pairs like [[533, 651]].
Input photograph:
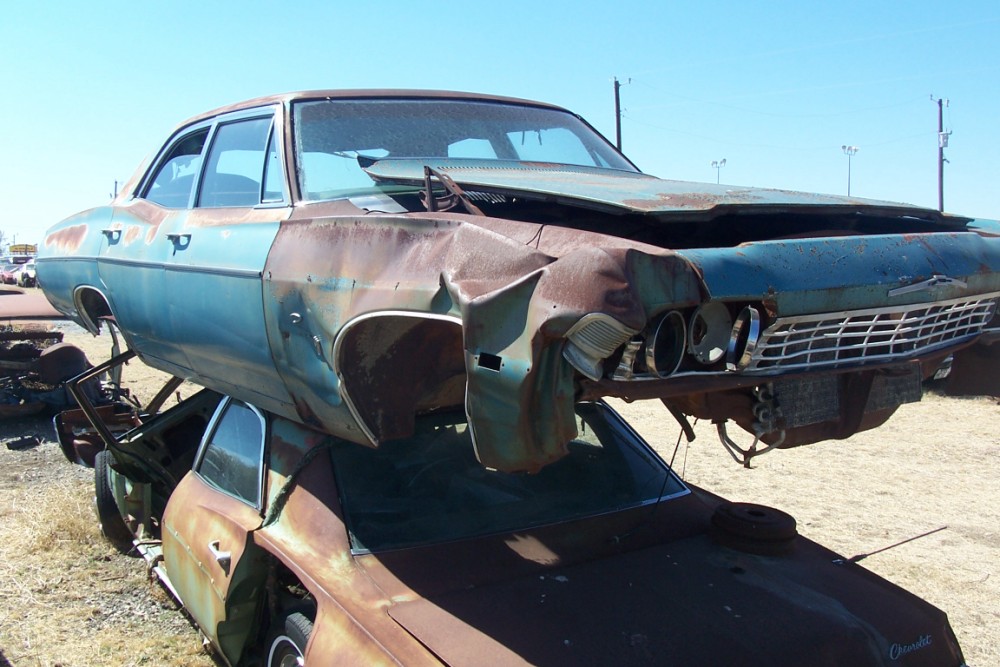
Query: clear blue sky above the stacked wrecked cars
[[775, 88]]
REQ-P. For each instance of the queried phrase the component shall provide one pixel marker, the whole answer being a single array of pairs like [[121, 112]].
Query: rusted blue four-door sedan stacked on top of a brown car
[[352, 259]]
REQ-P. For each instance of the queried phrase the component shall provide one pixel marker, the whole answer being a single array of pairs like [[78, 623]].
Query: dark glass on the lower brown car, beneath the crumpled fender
[[430, 488]]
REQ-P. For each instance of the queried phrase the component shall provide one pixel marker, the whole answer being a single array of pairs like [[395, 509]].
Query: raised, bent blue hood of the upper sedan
[[622, 191]]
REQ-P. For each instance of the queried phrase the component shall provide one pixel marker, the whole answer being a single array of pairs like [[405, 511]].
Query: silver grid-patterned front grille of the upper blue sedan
[[866, 336]]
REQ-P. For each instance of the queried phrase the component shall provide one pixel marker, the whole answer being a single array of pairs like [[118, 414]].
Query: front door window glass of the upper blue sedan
[[235, 165]]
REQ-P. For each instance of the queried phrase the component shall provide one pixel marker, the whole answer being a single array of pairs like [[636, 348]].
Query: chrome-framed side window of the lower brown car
[[233, 457]]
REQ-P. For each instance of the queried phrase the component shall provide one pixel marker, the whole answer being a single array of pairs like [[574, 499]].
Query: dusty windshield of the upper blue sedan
[[331, 136]]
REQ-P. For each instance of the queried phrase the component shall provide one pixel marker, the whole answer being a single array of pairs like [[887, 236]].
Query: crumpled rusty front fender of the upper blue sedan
[[515, 300]]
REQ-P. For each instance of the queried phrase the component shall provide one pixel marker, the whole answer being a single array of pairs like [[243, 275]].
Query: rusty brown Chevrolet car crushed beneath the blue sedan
[[289, 546]]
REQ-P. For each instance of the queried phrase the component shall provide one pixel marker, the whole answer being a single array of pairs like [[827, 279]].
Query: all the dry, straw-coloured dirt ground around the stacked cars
[[66, 598]]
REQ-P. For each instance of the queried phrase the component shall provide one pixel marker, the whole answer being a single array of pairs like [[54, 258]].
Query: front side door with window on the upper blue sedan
[[215, 267]]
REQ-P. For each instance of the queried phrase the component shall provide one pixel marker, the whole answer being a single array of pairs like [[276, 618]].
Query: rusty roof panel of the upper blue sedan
[[365, 93]]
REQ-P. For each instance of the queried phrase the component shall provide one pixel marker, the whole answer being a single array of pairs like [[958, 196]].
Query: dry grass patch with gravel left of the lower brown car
[[66, 597]]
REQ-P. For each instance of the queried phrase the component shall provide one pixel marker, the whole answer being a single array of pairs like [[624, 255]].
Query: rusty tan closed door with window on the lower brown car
[[207, 546]]
